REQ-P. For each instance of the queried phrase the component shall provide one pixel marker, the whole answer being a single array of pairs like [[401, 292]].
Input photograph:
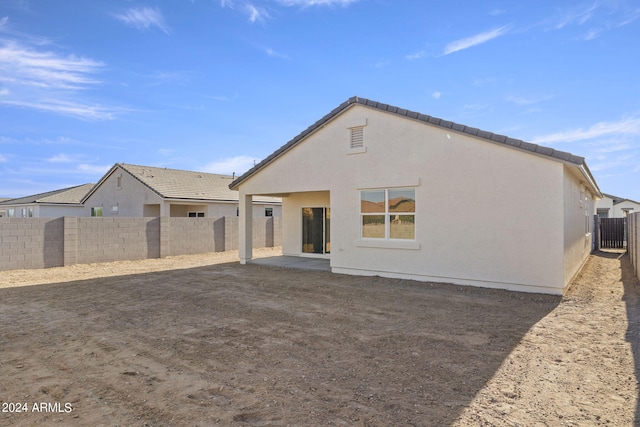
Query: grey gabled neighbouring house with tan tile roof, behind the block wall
[[136, 191]]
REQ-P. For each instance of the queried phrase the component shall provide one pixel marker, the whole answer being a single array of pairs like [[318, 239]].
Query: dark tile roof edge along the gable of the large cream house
[[492, 137]]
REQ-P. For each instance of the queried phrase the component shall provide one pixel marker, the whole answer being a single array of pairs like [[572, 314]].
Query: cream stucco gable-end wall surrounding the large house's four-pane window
[[486, 214]]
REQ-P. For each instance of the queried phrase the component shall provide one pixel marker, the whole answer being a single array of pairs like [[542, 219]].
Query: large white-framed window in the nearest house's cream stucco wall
[[388, 214]]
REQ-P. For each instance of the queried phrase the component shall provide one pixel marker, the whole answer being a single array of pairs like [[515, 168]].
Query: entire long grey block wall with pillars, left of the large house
[[30, 243]]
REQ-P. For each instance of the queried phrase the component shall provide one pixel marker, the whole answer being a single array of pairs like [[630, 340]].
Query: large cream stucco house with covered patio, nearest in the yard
[[380, 190]]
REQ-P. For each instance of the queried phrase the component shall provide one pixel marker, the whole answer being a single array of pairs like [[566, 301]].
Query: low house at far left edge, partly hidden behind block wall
[[53, 204]]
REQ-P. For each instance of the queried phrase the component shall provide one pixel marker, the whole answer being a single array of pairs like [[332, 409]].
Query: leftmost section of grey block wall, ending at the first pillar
[[27, 243]]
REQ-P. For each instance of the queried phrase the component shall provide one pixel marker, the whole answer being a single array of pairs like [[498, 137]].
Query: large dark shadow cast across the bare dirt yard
[[258, 345]]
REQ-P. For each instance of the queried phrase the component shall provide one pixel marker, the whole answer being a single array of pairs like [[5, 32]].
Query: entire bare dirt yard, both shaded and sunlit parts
[[202, 341]]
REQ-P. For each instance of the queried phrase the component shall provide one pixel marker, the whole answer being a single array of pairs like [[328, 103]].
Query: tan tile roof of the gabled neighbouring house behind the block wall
[[180, 184]]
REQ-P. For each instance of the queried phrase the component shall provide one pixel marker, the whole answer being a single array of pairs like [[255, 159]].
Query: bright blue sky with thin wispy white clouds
[[214, 85]]
